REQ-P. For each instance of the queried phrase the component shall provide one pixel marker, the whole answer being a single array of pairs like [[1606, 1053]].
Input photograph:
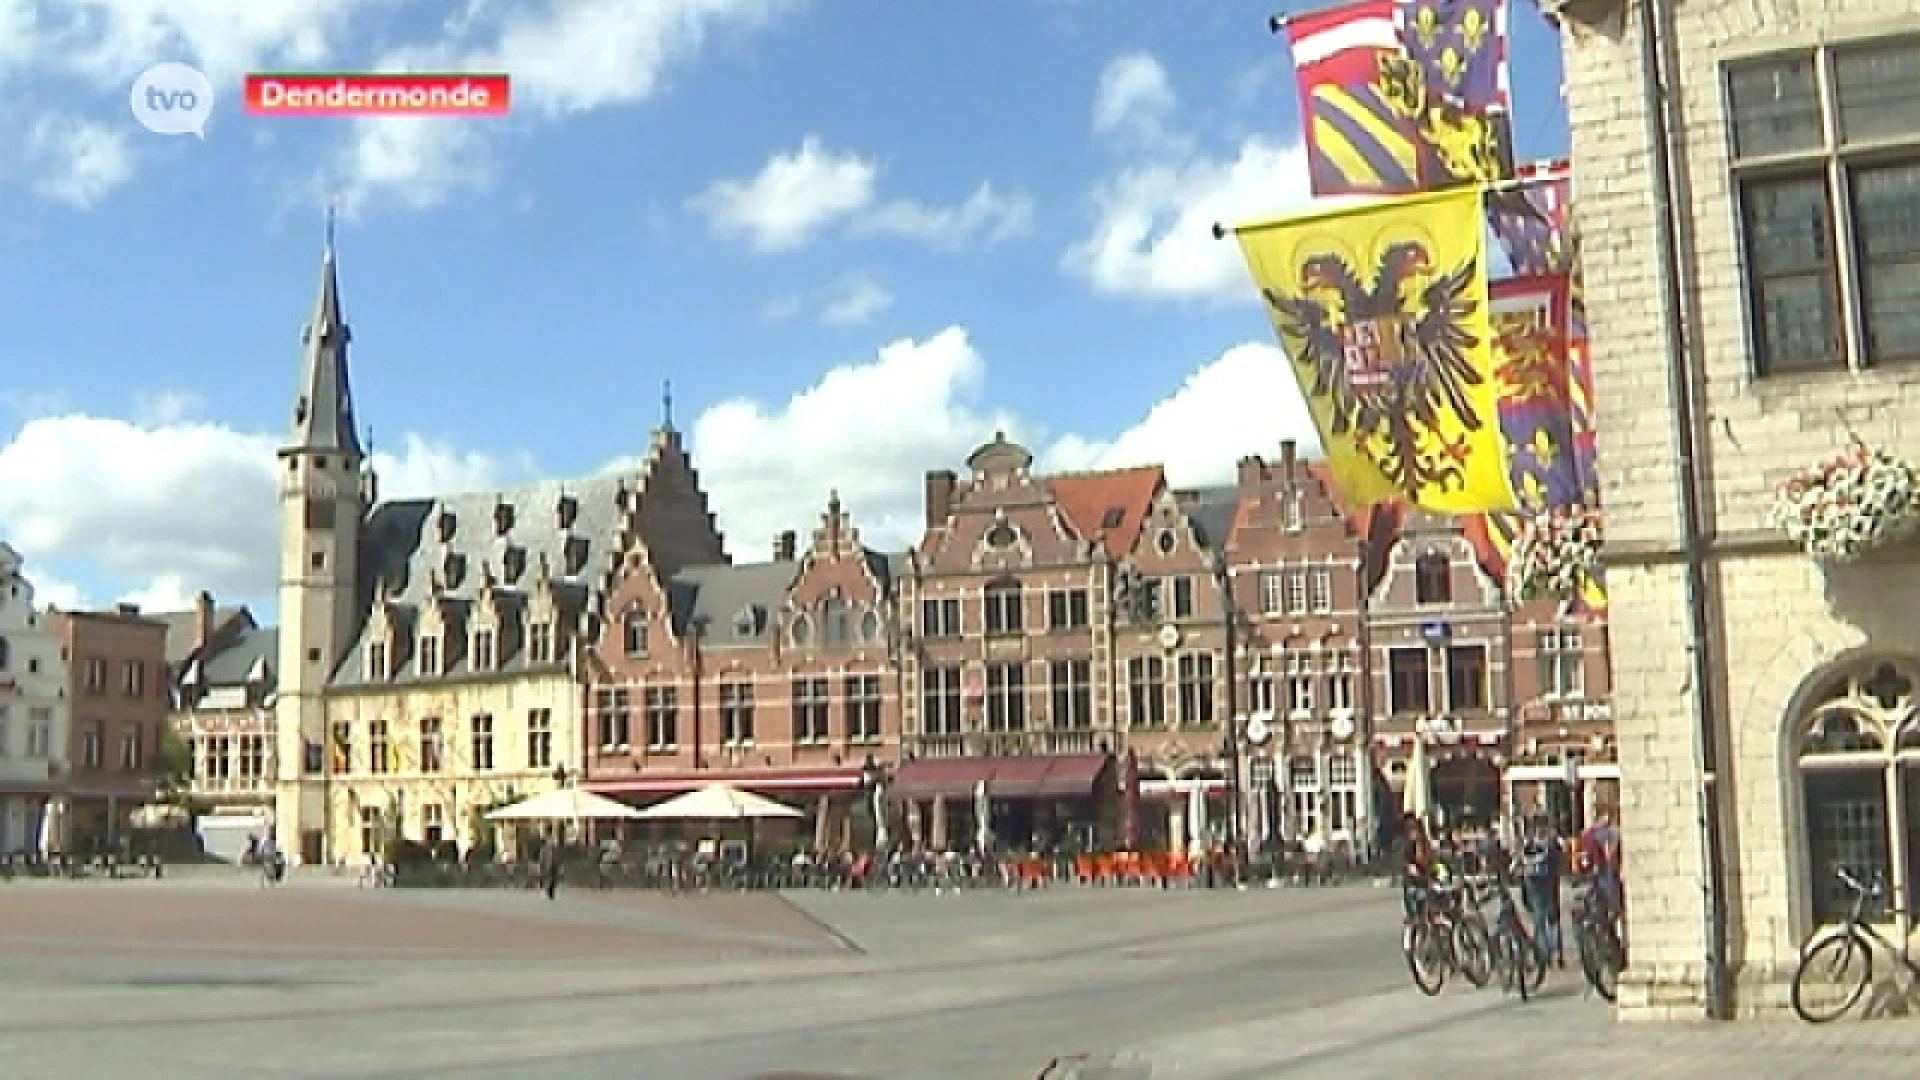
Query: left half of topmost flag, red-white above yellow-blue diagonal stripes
[[1358, 137]]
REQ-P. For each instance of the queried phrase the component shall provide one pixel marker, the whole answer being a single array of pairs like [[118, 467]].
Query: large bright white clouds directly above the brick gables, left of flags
[[873, 430]]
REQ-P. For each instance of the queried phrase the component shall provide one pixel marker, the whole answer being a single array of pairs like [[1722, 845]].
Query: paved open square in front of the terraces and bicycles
[[203, 979]]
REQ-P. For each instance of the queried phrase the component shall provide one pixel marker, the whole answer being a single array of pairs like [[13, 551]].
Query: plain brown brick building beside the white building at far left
[[120, 695]]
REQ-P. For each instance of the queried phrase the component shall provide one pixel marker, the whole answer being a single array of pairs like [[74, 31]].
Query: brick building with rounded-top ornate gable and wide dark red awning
[[1009, 660]]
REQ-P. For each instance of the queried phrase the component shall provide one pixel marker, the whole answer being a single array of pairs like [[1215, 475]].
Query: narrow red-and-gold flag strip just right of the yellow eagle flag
[[1531, 362]]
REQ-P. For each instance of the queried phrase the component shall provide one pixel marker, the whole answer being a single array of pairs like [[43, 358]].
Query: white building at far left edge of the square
[[34, 718]]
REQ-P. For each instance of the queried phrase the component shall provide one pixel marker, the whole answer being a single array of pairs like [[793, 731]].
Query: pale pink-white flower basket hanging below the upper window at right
[[1850, 506]]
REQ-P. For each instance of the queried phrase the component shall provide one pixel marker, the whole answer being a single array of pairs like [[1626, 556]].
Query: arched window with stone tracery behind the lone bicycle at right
[[1860, 766]]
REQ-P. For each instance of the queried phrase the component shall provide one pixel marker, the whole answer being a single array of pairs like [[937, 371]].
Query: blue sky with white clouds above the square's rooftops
[[857, 237]]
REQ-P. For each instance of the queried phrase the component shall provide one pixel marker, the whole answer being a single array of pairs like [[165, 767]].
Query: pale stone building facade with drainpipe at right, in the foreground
[[1796, 176]]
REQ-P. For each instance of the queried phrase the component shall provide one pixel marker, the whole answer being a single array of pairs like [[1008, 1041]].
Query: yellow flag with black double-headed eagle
[[1383, 310]]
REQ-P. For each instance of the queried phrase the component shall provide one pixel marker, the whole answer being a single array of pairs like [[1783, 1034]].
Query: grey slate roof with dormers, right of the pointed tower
[[414, 547]]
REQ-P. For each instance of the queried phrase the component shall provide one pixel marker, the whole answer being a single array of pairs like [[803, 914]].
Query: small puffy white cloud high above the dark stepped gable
[[792, 197]]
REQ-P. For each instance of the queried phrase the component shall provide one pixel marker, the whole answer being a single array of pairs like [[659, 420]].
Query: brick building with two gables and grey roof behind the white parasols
[[775, 675]]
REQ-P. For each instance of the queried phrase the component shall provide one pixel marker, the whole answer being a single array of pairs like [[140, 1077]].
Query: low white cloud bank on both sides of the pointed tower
[[193, 503]]
